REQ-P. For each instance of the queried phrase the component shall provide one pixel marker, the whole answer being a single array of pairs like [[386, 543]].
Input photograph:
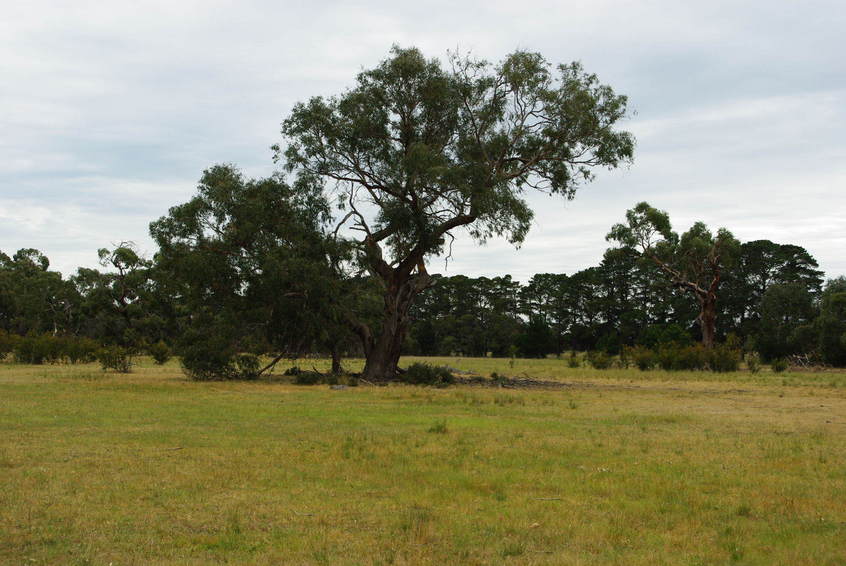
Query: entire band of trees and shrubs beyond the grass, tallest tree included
[[330, 253]]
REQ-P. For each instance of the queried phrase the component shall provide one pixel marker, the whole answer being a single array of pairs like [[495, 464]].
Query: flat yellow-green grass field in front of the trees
[[621, 467]]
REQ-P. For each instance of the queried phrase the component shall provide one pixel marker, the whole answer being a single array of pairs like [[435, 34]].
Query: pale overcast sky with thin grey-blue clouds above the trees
[[109, 112]]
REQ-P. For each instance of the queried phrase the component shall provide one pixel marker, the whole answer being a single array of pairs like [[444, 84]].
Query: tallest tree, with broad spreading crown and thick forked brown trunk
[[416, 151]]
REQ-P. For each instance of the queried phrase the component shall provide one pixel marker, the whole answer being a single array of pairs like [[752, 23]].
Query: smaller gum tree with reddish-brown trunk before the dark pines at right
[[694, 262]]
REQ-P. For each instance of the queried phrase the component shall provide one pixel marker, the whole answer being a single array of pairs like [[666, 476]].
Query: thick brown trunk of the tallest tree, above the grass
[[384, 350]]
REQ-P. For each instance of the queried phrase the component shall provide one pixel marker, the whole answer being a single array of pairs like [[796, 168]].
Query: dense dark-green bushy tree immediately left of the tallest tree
[[255, 269]]
